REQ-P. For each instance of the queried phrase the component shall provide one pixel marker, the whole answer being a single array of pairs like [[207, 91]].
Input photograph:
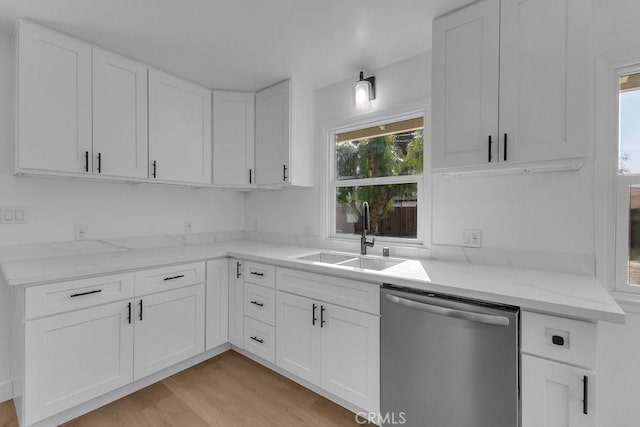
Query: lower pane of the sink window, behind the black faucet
[[392, 207]]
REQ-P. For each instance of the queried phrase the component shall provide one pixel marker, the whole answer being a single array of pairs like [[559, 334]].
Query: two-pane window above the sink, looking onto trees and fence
[[382, 165]]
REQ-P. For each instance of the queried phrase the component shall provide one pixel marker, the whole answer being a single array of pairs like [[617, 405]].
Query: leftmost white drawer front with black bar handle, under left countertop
[[76, 294]]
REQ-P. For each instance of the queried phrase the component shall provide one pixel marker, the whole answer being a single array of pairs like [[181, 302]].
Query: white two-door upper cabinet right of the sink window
[[533, 54]]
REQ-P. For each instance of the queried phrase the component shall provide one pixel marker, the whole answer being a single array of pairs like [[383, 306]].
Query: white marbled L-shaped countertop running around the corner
[[570, 295]]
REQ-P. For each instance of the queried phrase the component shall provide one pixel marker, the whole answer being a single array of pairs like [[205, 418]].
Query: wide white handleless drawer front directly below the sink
[[345, 292]]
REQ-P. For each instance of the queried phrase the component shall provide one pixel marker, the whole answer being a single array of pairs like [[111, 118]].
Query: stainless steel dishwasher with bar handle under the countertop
[[447, 361]]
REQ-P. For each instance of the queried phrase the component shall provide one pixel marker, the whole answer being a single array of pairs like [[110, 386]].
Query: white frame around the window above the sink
[[423, 235]]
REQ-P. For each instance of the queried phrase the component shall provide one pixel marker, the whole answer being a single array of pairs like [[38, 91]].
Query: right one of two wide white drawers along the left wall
[[166, 278]]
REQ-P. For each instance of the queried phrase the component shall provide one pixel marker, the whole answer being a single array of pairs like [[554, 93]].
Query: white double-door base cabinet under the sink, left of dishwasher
[[334, 347]]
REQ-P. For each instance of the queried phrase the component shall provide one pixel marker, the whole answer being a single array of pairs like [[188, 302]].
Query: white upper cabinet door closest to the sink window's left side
[[273, 127]]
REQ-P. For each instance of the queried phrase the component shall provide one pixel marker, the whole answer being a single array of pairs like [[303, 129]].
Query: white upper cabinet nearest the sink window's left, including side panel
[[284, 135]]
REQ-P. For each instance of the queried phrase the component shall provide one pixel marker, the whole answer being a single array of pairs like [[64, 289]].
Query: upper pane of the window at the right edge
[[629, 131]]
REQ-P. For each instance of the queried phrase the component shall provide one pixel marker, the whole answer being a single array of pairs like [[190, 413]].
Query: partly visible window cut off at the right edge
[[628, 182]]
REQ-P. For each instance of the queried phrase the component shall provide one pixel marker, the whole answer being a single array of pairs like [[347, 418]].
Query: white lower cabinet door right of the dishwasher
[[553, 394]]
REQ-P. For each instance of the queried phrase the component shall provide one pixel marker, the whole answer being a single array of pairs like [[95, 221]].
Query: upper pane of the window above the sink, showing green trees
[[377, 152]]
